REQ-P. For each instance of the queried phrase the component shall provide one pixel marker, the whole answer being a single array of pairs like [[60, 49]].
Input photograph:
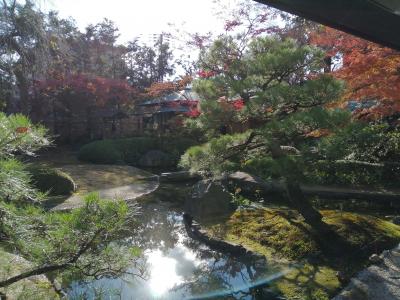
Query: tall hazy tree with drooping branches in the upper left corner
[[23, 48]]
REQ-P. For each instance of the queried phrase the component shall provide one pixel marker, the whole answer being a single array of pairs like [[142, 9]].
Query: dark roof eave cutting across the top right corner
[[374, 20]]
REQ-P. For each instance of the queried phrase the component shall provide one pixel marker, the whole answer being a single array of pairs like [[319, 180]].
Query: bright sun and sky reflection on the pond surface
[[181, 268]]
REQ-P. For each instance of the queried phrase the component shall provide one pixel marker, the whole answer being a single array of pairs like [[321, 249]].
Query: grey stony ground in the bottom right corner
[[380, 281]]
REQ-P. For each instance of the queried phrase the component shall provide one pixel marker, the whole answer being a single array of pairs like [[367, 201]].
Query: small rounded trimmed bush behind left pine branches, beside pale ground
[[54, 181]]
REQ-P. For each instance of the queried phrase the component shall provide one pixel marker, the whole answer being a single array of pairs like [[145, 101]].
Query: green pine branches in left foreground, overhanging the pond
[[80, 242]]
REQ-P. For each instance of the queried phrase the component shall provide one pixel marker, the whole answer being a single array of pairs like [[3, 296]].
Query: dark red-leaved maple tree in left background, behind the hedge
[[80, 96]]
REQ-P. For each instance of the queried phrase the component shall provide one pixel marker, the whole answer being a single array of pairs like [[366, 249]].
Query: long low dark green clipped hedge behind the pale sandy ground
[[130, 150]]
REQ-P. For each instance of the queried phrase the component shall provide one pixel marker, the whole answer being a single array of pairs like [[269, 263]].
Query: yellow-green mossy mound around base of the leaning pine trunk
[[282, 234]]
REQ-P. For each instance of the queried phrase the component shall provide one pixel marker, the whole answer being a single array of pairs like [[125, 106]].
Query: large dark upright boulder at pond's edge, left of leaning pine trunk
[[208, 199]]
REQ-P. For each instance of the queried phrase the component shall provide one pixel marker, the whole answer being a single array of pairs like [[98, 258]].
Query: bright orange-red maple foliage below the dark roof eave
[[370, 71]]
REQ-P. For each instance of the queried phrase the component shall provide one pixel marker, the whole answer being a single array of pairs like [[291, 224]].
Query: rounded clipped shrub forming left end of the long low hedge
[[101, 152]]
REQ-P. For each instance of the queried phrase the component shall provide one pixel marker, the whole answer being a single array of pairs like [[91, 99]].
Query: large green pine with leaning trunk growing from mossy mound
[[262, 103]]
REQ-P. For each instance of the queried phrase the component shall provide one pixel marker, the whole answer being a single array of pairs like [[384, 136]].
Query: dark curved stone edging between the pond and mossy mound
[[195, 232]]
